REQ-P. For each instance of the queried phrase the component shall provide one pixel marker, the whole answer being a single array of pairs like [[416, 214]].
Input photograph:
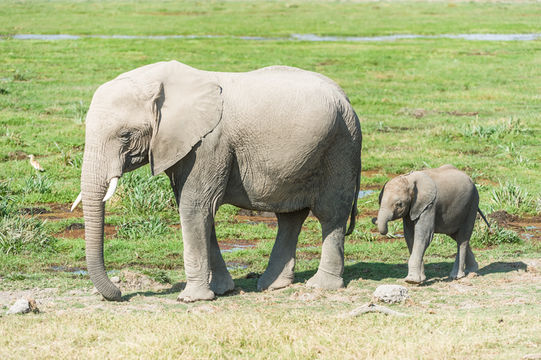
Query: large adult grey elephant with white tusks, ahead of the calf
[[277, 139]]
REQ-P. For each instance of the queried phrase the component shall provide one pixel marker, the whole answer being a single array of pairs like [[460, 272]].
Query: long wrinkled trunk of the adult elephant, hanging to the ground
[[93, 188]]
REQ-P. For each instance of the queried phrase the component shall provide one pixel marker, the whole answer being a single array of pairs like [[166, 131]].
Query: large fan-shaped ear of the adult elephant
[[187, 107]]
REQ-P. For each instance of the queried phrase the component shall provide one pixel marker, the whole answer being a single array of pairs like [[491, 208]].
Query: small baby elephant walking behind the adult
[[442, 200]]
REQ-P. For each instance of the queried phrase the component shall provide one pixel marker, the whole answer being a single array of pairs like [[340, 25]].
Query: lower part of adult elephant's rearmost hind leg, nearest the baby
[[331, 267]]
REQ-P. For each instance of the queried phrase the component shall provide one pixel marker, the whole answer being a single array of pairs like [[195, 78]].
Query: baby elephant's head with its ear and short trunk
[[406, 195]]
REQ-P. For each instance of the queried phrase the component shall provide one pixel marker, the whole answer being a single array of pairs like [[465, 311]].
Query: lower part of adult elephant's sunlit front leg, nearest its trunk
[[196, 233]]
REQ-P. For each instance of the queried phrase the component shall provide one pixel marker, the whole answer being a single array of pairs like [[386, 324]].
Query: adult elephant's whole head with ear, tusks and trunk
[[154, 114]]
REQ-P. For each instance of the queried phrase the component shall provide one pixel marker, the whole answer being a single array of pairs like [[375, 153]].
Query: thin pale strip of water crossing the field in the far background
[[292, 37]]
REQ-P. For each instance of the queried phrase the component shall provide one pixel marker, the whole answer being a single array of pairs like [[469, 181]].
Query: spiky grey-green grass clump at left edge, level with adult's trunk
[[18, 234]]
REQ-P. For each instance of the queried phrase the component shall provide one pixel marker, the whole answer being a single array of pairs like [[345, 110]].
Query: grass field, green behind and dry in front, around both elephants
[[422, 103]]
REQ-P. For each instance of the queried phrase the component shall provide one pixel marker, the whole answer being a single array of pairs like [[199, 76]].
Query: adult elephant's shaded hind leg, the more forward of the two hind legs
[[279, 272]]
